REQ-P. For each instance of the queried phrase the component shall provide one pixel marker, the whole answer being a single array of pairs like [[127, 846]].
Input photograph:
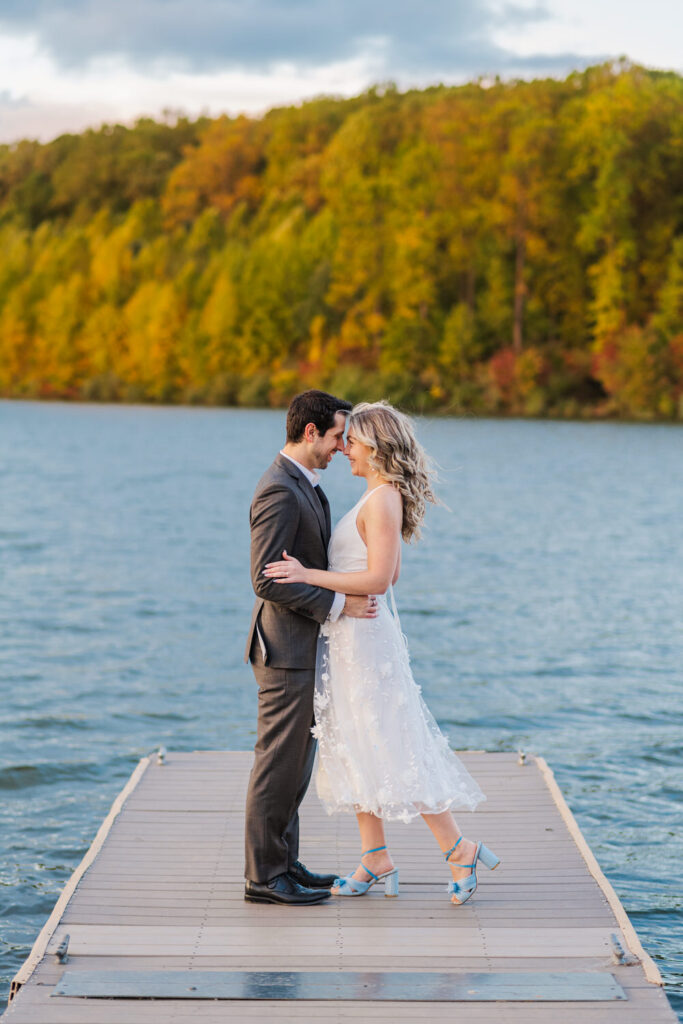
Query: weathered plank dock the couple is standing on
[[157, 908]]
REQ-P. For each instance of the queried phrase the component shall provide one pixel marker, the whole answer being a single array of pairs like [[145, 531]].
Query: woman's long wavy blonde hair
[[397, 456]]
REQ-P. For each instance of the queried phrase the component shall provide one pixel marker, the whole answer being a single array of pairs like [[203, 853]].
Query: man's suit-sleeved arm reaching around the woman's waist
[[275, 521]]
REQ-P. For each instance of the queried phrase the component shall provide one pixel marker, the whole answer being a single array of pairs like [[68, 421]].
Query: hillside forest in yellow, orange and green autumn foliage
[[510, 248]]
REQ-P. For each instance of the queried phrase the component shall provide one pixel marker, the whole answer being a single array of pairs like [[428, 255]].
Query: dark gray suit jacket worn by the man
[[287, 515]]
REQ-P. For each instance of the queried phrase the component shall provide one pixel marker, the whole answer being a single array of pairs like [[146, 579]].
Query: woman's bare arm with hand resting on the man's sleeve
[[382, 522]]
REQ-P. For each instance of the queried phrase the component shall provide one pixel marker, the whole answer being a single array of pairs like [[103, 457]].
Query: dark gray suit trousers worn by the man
[[283, 764]]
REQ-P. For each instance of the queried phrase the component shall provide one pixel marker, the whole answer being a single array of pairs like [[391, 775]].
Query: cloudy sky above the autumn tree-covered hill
[[69, 64]]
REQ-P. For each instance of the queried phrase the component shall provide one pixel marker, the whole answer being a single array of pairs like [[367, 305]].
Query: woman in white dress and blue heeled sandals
[[381, 753]]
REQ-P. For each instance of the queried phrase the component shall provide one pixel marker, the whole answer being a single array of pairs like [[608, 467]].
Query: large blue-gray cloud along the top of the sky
[[254, 34]]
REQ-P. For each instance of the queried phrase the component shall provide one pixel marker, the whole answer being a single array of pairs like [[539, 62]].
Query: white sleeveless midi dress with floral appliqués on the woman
[[379, 747]]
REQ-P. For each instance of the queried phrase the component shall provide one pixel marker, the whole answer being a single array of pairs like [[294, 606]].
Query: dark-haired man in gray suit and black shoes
[[290, 513]]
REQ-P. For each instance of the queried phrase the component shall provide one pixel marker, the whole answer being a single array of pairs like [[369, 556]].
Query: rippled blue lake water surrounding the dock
[[544, 610]]
